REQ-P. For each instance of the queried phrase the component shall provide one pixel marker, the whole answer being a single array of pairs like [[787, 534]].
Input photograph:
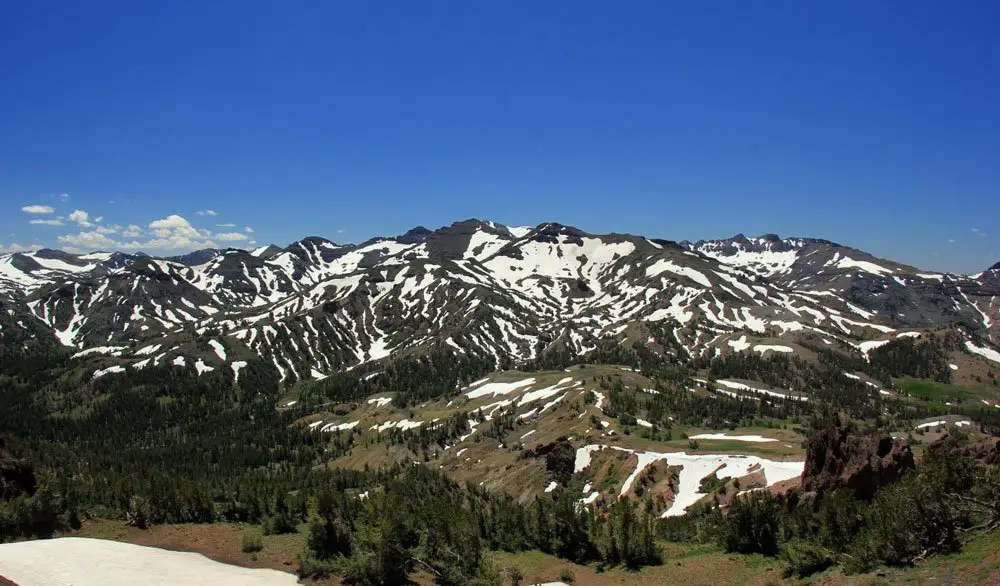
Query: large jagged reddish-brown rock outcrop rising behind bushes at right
[[836, 459]]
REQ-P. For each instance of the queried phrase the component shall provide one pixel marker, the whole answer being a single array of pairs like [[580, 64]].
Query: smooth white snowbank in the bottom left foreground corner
[[79, 561]]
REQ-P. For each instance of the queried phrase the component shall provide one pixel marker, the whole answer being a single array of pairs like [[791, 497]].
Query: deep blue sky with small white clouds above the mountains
[[871, 124]]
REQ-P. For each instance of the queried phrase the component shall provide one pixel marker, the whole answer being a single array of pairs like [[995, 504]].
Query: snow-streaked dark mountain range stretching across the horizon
[[482, 288]]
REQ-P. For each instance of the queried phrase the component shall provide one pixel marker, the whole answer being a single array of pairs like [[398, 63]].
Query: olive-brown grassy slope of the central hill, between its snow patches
[[481, 459]]
